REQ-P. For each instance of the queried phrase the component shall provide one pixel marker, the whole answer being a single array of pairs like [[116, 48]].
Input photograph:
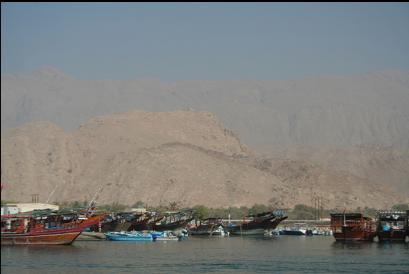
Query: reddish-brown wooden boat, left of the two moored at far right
[[352, 227]]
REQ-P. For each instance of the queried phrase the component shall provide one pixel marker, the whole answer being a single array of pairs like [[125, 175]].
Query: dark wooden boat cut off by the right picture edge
[[392, 226]]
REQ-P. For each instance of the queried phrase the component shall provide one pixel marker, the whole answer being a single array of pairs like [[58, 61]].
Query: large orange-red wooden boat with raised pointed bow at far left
[[44, 229]]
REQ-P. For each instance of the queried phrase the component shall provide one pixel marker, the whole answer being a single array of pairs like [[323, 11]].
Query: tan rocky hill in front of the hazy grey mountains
[[163, 157]]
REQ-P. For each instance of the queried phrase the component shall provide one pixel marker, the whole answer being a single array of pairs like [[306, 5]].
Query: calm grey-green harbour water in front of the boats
[[278, 254]]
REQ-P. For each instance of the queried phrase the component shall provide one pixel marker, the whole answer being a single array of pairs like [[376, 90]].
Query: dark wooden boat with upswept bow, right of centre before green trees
[[256, 224]]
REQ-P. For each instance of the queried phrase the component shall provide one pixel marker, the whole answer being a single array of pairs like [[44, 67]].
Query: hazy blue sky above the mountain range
[[173, 41]]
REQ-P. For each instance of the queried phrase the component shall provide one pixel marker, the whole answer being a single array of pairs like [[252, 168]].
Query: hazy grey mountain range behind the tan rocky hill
[[331, 111]]
